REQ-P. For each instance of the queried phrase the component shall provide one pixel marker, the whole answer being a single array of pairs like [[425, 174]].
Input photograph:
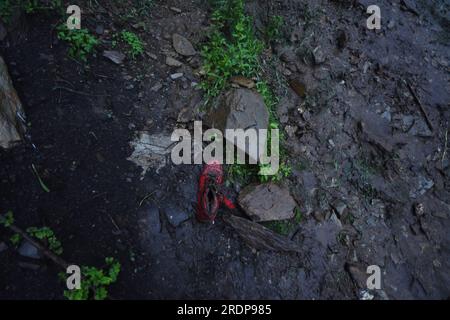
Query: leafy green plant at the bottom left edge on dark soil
[[94, 282]]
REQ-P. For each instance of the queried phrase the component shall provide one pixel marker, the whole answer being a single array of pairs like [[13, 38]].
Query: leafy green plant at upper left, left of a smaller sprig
[[81, 41]]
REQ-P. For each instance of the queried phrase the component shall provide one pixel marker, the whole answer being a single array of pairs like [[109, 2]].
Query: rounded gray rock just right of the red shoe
[[267, 202]]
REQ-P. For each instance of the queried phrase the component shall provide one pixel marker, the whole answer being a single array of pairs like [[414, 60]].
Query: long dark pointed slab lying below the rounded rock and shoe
[[259, 237]]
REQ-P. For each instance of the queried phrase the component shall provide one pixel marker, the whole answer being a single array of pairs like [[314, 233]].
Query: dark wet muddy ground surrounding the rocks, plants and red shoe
[[370, 137]]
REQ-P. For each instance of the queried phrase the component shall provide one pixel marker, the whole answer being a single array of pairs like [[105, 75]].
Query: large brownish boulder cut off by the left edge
[[11, 128]]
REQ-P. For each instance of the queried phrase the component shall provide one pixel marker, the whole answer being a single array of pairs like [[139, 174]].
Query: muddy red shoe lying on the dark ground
[[209, 197]]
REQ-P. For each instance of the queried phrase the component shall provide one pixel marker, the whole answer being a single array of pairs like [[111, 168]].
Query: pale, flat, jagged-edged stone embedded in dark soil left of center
[[151, 151]]
